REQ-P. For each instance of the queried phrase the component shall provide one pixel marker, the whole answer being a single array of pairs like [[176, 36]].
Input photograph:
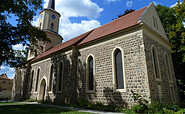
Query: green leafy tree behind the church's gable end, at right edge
[[172, 19]]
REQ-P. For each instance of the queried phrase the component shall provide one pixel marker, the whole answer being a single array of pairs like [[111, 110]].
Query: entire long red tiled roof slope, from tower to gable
[[117, 25]]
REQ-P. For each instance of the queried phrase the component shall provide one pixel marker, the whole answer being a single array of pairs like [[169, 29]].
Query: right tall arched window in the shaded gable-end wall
[[168, 67]]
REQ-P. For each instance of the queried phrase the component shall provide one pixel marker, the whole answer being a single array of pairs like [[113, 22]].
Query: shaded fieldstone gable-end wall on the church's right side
[[165, 84]]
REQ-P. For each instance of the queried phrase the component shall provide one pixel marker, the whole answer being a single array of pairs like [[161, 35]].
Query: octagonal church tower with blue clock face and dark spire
[[48, 22]]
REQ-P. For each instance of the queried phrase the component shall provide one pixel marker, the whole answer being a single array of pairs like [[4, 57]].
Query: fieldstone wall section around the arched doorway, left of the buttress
[[67, 95]]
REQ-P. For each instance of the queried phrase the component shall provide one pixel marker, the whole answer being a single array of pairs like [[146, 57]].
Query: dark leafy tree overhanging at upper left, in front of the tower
[[21, 33]]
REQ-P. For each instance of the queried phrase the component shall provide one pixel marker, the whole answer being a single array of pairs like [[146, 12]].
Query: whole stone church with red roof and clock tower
[[131, 53]]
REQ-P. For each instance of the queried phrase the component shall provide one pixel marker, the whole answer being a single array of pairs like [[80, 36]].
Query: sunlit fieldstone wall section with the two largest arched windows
[[135, 69]]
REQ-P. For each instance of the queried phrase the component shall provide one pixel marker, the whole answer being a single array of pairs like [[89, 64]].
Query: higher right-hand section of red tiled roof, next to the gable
[[115, 26]]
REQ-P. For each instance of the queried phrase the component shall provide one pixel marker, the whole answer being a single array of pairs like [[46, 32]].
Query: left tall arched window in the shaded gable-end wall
[[155, 63]]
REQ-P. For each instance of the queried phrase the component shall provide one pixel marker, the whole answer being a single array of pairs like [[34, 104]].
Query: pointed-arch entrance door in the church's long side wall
[[42, 90]]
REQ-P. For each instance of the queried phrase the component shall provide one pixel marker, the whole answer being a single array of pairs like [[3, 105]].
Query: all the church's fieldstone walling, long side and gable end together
[[138, 68]]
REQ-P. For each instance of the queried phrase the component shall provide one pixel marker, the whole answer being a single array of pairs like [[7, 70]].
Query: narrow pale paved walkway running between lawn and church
[[70, 108]]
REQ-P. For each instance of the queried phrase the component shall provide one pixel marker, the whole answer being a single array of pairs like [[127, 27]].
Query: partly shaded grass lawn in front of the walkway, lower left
[[16, 108]]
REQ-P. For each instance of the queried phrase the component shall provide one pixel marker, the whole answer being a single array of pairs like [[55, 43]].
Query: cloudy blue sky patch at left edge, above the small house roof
[[10, 72]]
